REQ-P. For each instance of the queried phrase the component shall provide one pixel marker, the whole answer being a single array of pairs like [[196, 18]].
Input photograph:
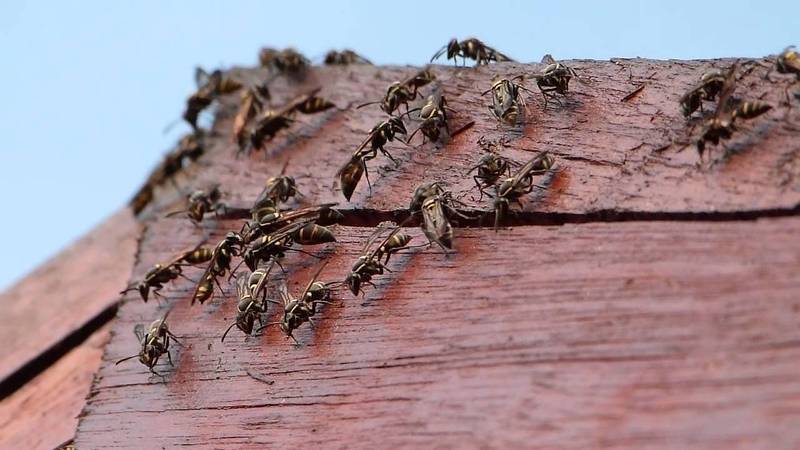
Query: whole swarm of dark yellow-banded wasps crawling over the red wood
[[273, 229]]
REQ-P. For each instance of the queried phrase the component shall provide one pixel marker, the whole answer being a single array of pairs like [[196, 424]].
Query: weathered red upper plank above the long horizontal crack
[[614, 156]]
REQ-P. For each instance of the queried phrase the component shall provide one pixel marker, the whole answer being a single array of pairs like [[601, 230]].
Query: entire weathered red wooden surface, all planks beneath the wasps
[[659, 333]]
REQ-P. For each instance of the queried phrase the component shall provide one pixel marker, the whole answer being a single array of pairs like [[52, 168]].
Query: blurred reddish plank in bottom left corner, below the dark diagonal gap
[[43, 414]]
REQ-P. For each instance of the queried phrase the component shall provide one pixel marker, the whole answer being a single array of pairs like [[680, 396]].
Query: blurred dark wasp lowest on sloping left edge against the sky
[[190, 147]]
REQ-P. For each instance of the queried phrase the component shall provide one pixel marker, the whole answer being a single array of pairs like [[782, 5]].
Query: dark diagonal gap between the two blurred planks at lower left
[[47, 358]]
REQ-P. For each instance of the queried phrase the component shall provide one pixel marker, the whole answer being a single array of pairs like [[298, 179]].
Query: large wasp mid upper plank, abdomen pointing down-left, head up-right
[[350, 174]]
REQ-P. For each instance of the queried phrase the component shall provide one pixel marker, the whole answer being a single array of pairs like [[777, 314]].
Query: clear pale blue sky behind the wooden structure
[[89, 86]]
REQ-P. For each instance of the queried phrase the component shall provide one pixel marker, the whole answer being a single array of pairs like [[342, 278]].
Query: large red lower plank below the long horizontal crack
[[656, 334]]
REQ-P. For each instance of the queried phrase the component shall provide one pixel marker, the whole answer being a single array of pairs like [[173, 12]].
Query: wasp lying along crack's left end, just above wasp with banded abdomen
[[266, 220]]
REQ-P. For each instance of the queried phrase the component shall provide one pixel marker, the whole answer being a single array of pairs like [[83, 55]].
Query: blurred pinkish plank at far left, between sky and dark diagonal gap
[[72, 289]]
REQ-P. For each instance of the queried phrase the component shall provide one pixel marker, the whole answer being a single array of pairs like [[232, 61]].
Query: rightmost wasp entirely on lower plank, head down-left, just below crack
[[369, 263]]
